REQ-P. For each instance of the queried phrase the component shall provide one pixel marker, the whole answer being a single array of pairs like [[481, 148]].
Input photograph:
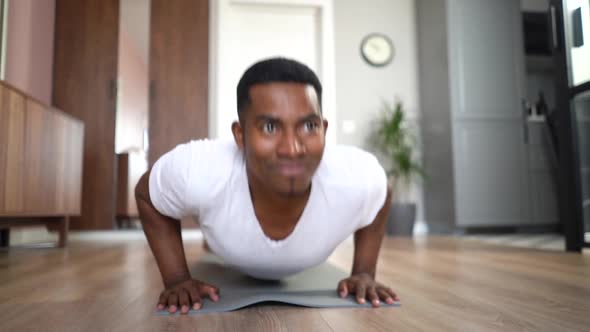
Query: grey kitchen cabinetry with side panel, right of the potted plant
[[472, 125]]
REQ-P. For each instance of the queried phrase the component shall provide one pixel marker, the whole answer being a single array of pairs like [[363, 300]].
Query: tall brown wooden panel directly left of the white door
[[178, 74]]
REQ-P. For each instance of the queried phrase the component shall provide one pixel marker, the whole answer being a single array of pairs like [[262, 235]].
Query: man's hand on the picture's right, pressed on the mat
[[365, 287]]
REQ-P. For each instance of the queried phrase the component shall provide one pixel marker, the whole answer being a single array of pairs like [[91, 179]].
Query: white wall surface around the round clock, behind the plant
[[361, 88]]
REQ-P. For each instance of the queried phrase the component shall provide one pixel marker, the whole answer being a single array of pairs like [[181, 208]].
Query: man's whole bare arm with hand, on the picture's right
[[367, 242]]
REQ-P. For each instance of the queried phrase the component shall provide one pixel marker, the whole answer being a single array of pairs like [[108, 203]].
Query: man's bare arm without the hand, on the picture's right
[[367, 242]]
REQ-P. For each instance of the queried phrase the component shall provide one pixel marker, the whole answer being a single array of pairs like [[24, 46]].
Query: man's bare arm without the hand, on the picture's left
[[164, 237]]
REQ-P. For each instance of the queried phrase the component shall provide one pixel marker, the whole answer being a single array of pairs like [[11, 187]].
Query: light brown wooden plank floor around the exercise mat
[[445, 284]]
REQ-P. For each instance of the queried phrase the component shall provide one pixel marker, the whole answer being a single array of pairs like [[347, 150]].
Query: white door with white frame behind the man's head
[[245, 31]]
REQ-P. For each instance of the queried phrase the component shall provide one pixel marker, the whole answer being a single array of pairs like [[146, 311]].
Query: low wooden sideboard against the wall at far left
[[40, 161]]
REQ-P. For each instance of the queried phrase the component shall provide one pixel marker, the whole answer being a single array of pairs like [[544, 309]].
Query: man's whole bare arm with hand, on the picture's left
[[165, 240]]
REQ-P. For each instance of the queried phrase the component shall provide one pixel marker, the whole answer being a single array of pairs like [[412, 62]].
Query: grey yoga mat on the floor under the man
[[315, 287]]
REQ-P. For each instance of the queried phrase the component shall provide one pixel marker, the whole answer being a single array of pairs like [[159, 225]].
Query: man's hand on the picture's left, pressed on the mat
[[186, 294]]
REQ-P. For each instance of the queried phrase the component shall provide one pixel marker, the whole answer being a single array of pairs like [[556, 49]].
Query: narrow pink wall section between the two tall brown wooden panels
[[132, 102]]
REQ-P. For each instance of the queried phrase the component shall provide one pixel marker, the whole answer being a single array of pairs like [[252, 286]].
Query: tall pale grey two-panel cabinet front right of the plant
[[487, 71]]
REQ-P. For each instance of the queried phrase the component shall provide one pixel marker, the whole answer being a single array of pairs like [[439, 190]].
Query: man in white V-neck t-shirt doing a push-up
[[274, 201]]
